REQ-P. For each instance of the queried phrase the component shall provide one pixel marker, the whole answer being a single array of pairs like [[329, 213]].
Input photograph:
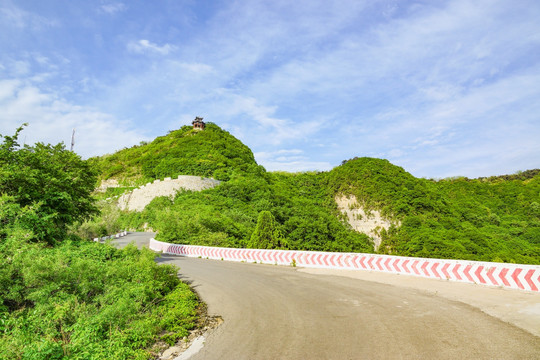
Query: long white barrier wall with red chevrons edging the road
[[513, 276]]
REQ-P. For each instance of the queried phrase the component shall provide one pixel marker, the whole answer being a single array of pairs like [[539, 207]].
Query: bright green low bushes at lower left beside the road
[[88, 301]]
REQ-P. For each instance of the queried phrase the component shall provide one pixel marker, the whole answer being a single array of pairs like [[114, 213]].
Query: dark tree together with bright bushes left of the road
[[62, 297]]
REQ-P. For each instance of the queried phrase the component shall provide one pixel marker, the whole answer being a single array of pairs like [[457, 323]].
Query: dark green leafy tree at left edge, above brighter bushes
[[55, 182]]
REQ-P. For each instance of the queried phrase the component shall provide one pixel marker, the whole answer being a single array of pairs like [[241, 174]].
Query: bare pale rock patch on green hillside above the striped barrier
[[369, 222]]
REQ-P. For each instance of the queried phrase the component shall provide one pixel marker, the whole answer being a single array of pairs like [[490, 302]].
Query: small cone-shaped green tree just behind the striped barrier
[[267, 234]]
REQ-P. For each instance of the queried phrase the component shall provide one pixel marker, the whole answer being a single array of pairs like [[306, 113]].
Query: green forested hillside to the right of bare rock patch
[[490, 219]]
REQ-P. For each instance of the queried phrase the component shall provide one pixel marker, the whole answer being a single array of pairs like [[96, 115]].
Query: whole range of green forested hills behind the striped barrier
[[491, 219]]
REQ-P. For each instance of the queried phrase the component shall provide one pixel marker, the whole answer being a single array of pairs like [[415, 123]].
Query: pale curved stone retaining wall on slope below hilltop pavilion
[[139, 198]]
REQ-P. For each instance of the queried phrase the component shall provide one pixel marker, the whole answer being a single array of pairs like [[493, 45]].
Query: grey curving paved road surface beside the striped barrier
[[274, 312]]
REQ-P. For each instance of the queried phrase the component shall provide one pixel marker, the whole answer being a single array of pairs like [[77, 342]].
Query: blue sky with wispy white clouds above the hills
[[441, 88]]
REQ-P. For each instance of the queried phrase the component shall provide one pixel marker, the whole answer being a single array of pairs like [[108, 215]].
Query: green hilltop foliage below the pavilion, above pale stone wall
[[210, 153]]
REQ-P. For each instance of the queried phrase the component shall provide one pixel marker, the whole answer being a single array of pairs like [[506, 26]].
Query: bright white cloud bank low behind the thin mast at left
[[52, 119]]
